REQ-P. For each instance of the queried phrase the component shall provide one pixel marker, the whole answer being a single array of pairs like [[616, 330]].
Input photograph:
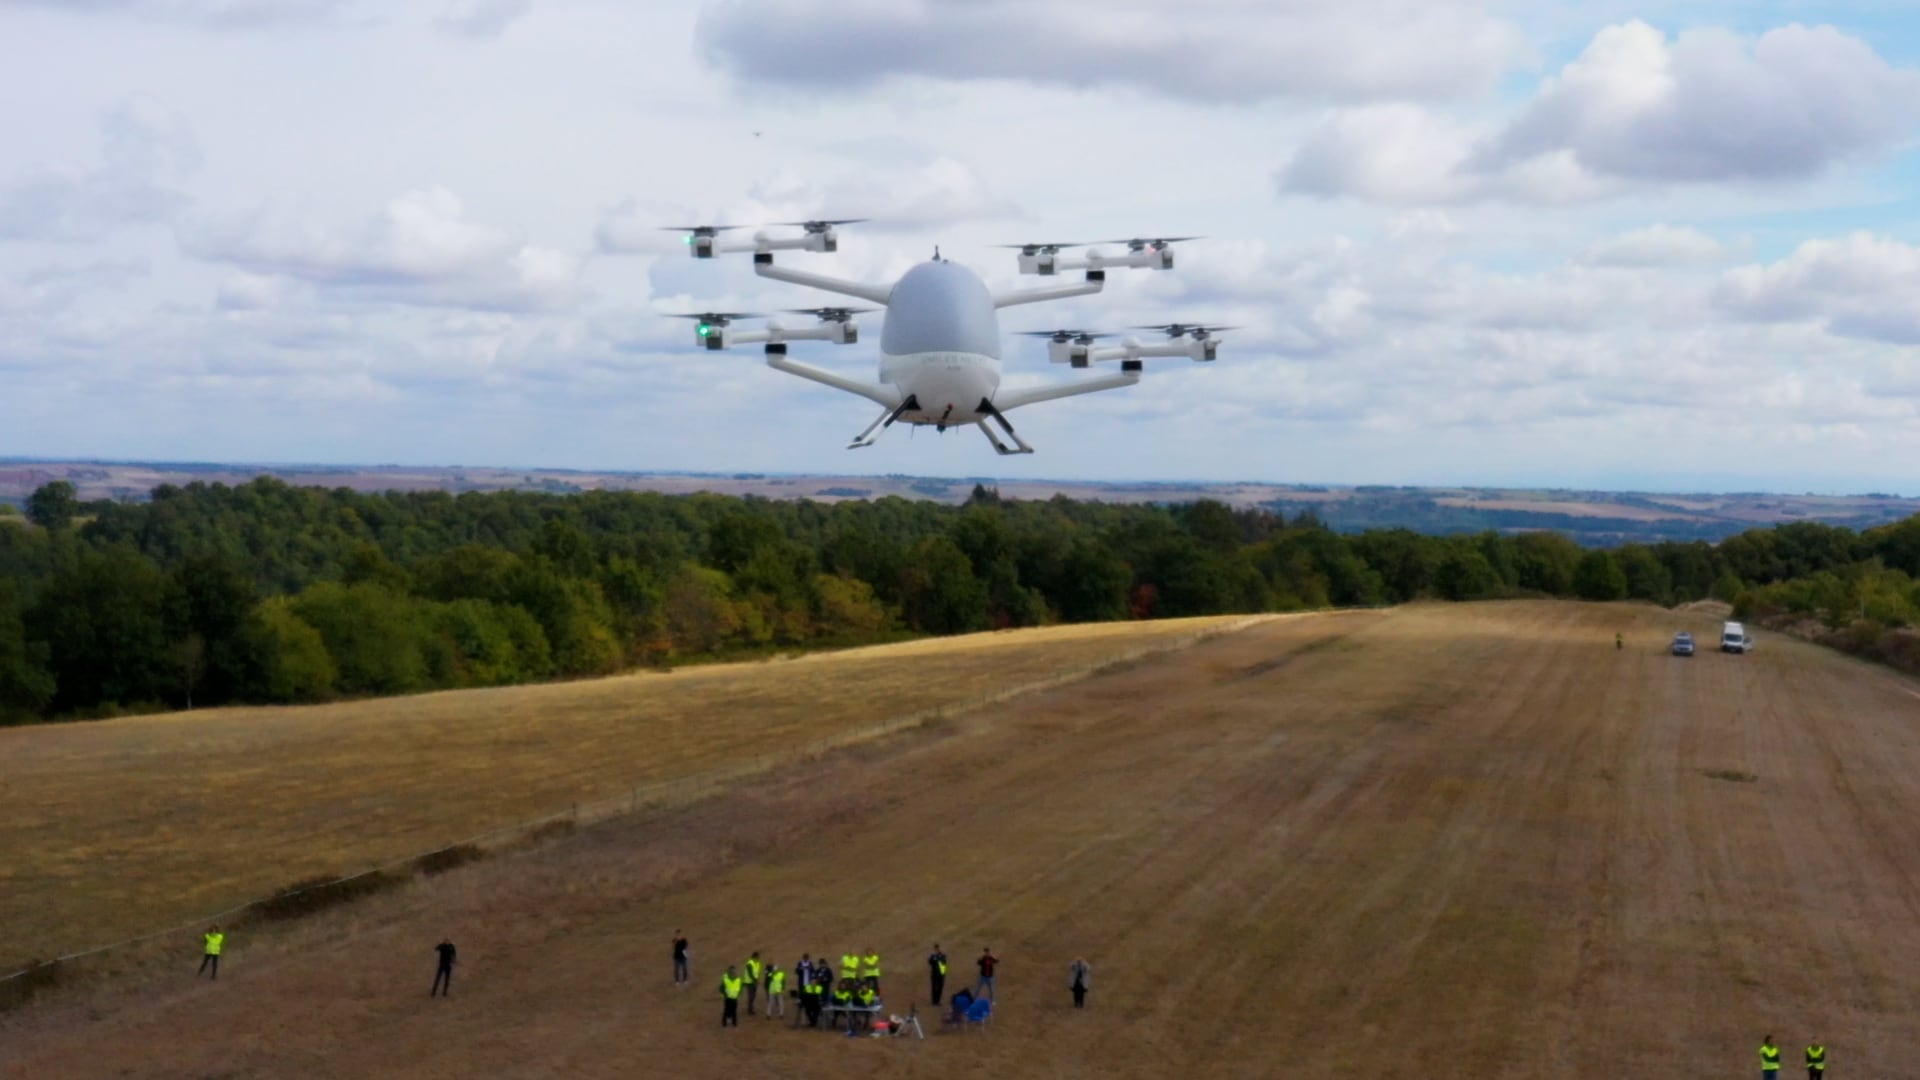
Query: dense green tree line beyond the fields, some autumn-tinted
[[268, 593]]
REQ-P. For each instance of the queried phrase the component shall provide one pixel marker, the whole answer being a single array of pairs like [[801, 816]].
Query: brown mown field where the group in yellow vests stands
[[1433, 843]]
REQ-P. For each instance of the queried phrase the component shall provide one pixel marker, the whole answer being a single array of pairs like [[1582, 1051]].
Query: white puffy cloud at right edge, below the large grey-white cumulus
[[1858, 287]]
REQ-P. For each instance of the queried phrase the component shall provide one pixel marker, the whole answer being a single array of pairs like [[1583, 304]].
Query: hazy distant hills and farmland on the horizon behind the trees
[[1591, 518]]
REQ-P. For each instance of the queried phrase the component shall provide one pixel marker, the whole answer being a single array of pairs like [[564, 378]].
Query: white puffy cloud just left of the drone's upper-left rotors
[[421, 249]]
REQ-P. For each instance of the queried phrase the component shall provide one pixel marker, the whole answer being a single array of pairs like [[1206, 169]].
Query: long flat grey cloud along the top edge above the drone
[[1214, 51]]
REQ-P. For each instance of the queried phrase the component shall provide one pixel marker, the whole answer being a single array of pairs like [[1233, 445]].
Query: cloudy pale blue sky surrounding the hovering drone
[[1660, 245]]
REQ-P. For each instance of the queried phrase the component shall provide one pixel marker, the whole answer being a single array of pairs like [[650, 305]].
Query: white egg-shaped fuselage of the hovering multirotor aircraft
[[940, 345]]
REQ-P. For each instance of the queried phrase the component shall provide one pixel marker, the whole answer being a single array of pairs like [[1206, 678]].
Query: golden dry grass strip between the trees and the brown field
[[122, 827]]
